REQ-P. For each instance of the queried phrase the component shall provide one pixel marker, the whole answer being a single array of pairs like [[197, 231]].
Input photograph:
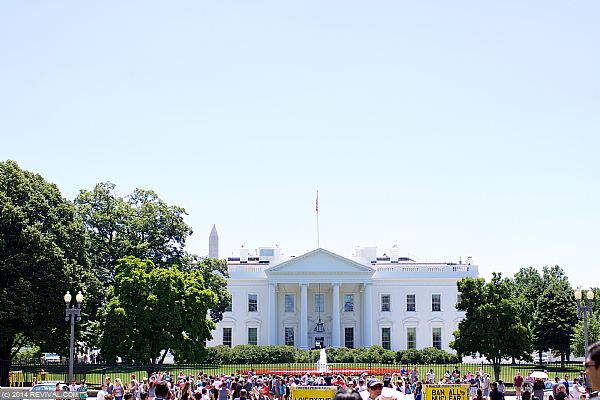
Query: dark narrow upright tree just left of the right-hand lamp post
[[556, 314]]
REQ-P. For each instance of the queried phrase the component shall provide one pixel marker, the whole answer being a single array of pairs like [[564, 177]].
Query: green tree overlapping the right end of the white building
[[492, 325]]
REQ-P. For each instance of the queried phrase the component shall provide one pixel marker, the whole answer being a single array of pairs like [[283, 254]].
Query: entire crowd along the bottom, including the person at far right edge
[[254, 386]]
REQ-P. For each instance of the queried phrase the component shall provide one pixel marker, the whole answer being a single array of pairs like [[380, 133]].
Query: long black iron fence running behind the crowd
[[23, 372]]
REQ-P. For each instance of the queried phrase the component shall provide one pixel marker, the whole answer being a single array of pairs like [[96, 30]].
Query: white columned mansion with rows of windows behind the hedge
[[363, 301]]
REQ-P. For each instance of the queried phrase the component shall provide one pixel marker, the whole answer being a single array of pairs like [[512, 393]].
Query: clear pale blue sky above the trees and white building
[[451, 129]]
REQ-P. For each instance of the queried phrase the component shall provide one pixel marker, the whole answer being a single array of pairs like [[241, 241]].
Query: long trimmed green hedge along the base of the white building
[[245, 354]]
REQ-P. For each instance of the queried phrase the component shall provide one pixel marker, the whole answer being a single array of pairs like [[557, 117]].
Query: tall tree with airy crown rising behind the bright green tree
[[140, 225]]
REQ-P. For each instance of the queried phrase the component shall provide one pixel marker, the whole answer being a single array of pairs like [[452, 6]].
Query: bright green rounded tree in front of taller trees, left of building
[[150, 309]]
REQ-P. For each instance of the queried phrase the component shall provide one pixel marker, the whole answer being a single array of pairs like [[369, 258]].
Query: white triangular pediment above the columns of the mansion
[[320, 261]]
